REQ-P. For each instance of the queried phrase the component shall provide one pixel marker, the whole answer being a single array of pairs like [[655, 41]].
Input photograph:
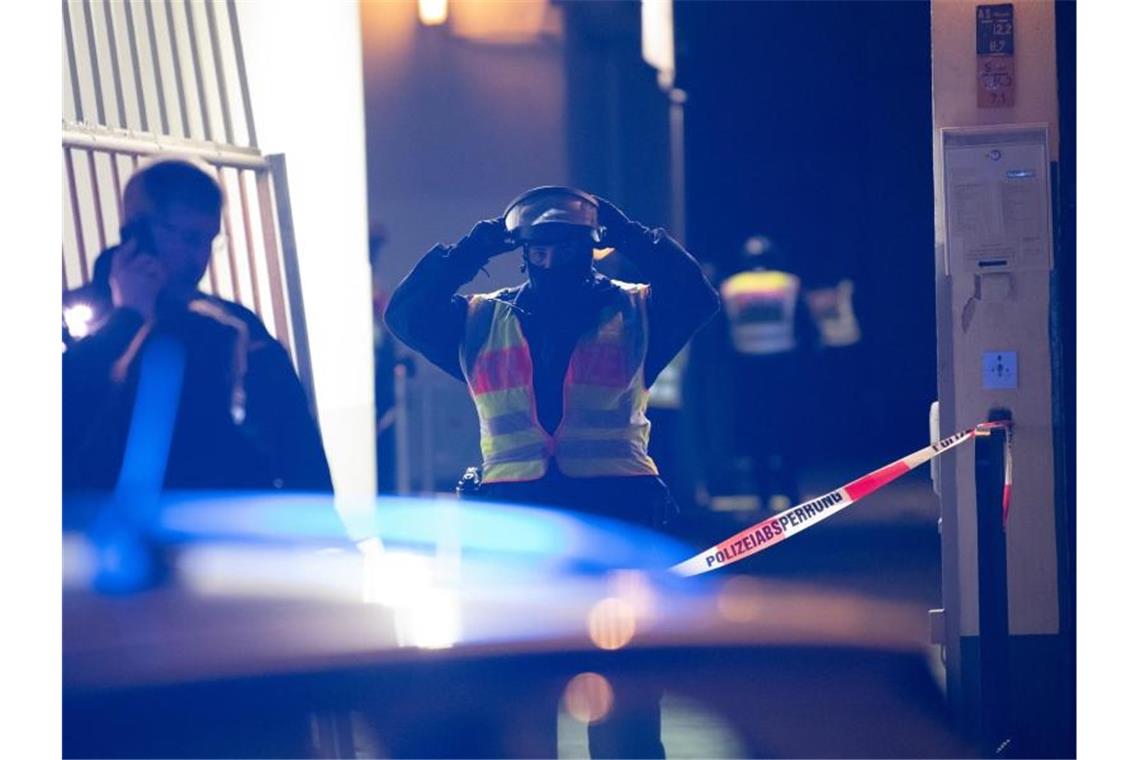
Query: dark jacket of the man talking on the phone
[[279, 443]]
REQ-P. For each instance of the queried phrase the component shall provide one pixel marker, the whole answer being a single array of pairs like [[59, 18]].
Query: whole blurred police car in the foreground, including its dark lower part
[[458, 630]]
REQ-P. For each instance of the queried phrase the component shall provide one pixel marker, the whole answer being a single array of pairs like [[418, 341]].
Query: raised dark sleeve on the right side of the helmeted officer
[[681, 298]]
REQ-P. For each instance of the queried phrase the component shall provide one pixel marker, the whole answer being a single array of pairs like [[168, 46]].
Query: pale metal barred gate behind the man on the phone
[[146, 79]]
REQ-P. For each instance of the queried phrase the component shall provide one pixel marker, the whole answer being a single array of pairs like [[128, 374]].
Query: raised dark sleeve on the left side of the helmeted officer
[[426, 313]]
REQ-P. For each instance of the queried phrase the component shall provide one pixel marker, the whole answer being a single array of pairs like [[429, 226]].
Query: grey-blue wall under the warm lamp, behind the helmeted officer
[[455, 130]]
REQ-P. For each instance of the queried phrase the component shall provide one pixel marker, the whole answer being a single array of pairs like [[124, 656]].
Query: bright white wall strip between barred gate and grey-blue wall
[[305, 71]]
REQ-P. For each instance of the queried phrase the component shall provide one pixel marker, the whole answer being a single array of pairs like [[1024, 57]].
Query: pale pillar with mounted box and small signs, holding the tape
[[1000, 301]]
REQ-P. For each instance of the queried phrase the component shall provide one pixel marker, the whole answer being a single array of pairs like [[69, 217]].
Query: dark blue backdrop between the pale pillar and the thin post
[[811, 122]]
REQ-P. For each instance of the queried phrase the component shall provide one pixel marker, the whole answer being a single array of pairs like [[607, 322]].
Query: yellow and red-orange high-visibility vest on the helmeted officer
[[604, 432]]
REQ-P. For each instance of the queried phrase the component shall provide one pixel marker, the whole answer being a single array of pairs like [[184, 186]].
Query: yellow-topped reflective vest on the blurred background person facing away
[[761, 307]]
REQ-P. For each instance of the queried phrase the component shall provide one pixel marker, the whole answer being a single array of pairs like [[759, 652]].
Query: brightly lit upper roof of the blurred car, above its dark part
[[266, 584]]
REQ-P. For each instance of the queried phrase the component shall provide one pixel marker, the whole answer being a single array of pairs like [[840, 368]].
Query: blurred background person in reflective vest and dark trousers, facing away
[[770, 328]]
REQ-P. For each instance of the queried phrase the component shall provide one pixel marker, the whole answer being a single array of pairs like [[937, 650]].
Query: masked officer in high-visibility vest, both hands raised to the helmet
[[559, 369]]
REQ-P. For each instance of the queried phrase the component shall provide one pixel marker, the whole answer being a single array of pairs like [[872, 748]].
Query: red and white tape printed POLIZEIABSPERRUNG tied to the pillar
[[795, 520]]
